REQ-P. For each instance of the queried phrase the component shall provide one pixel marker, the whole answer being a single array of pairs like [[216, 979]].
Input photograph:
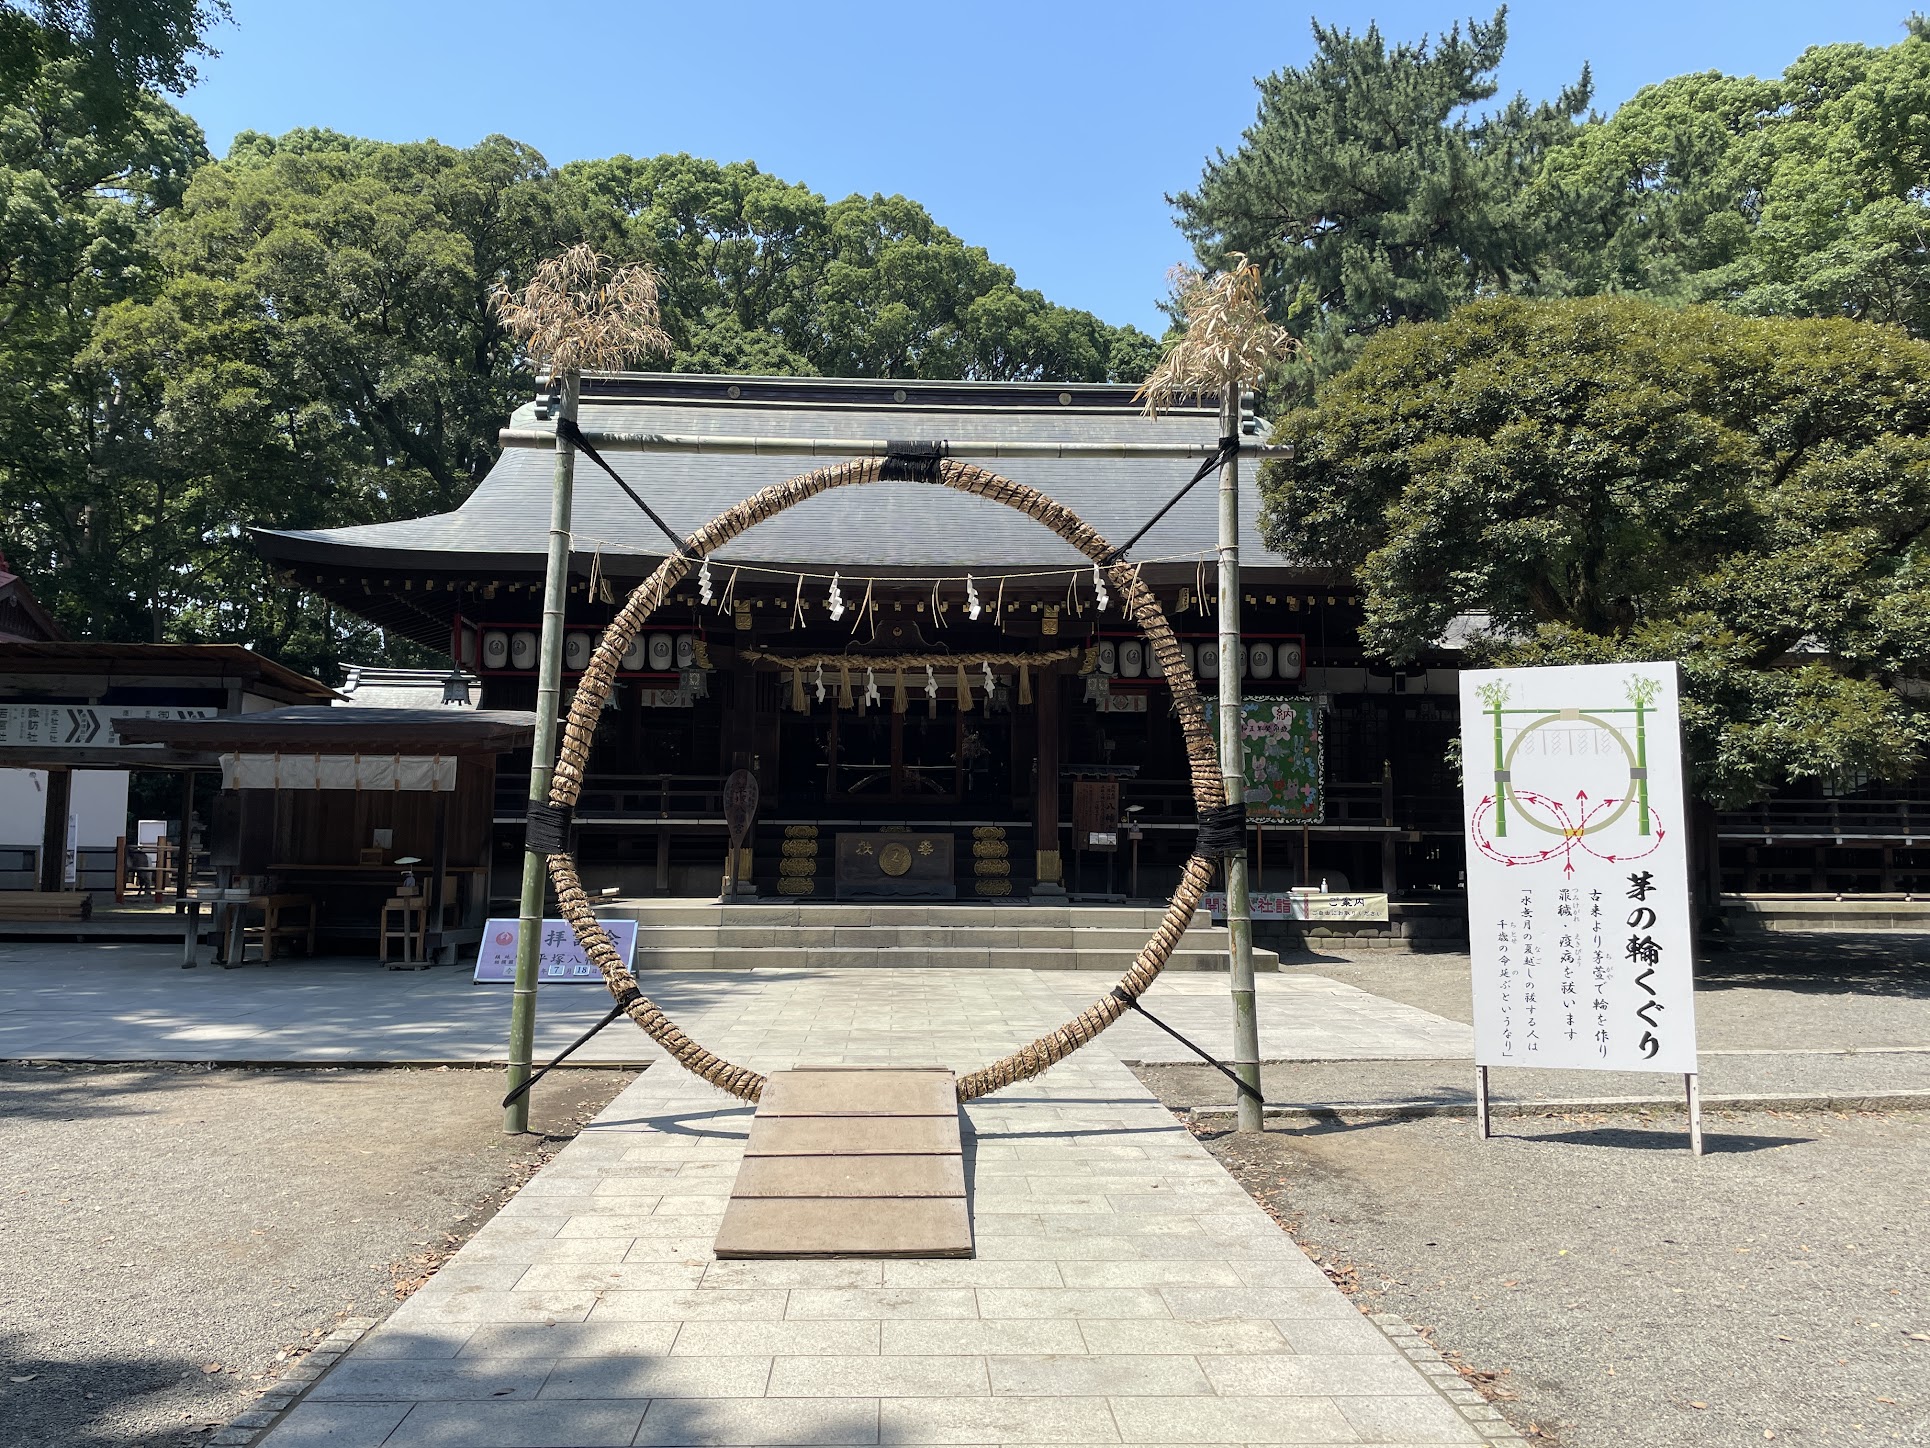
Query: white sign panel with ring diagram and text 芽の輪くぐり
[[1578, 874]]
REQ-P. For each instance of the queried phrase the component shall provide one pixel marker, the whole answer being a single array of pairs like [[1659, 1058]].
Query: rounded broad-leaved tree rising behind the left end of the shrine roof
[[319, 352]]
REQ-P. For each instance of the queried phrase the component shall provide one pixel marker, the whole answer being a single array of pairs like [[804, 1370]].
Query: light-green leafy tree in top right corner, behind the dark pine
[[1800, 196]]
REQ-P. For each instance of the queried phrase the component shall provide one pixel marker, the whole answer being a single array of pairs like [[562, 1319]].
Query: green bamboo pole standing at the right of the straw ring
[[1234, 773]]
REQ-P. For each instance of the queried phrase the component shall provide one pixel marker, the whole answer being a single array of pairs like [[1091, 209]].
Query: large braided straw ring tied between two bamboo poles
[[649, 596]]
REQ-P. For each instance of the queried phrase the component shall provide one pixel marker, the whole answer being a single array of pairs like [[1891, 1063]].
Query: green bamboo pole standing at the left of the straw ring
[[541, 762]]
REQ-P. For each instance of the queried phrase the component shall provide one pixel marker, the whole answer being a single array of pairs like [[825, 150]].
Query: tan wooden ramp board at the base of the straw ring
[[852, 1161]]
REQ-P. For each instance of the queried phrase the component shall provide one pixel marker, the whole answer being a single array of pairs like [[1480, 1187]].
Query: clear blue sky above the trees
[[1047, 134]]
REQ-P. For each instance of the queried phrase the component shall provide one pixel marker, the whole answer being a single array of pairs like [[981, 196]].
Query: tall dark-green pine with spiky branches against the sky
[[1371, 194]]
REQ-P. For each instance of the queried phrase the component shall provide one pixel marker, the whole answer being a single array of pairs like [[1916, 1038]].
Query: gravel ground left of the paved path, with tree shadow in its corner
[[173, 1237]]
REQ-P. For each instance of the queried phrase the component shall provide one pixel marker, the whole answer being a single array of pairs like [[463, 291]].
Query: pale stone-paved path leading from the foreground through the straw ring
[[1126, 1289]]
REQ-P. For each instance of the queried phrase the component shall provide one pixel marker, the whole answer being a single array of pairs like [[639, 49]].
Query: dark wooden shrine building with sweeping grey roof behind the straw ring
[[817, 650]]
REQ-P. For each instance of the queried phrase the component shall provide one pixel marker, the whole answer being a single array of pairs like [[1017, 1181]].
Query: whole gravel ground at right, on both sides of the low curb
[[1611, 1289]]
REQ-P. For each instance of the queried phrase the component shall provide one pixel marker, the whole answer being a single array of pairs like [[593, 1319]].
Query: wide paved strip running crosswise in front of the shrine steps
[[136, 1003]]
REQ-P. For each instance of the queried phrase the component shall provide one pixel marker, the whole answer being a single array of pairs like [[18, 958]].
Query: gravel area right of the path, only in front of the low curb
[[1616, 1293]]
